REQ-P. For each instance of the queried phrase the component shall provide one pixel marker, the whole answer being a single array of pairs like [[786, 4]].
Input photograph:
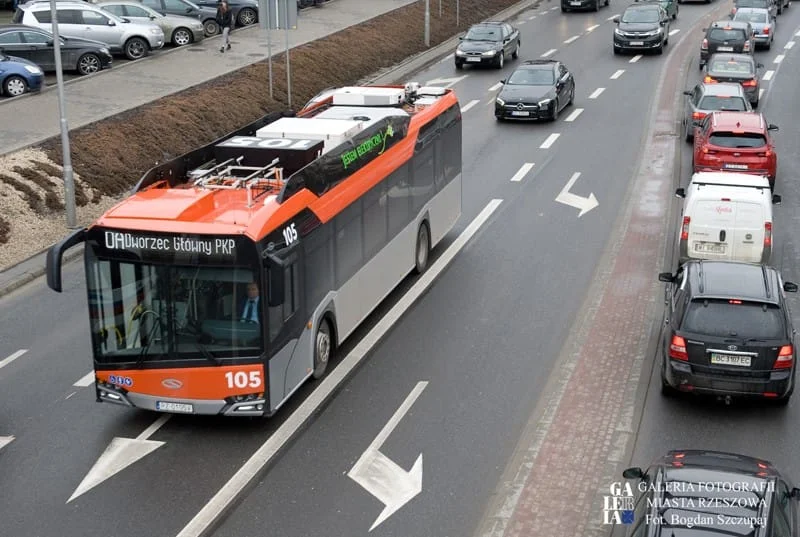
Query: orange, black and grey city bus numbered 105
[[232, 273]]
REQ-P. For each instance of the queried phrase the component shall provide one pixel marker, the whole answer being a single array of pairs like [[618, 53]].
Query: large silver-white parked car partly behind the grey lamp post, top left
[[80, 19]]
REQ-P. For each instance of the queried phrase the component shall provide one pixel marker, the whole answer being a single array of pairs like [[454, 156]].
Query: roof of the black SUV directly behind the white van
[[733, 280]]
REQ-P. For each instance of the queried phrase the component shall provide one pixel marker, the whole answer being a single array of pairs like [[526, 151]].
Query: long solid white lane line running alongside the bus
[[228, 493]]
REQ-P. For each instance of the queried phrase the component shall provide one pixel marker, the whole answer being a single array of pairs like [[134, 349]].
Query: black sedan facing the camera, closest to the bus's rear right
[[537, 89]]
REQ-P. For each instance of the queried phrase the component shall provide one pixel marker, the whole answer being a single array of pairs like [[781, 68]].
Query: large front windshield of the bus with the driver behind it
[[143, 313]]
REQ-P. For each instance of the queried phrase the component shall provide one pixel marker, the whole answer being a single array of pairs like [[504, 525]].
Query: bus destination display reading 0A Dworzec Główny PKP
[[221, 246]]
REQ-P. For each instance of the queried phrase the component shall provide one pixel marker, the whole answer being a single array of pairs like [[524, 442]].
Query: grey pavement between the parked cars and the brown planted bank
[[31, 119]]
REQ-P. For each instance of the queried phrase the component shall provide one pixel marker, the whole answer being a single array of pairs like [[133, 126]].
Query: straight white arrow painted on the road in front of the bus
[[120, 453]]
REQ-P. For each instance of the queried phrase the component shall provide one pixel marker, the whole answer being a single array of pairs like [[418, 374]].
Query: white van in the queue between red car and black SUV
[[726, 216]]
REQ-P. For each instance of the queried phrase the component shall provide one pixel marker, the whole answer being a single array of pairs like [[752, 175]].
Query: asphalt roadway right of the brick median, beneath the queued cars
[[704, 423]]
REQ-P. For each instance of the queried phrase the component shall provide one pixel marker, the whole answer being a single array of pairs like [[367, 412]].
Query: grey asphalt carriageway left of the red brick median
[[484, 338]]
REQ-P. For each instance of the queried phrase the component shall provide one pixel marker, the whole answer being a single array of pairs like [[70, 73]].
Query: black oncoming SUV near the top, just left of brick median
[[642, 27]]
